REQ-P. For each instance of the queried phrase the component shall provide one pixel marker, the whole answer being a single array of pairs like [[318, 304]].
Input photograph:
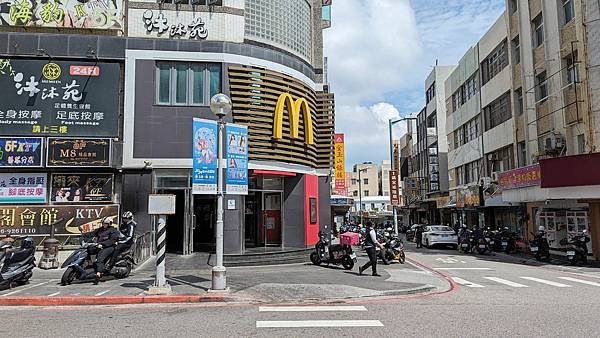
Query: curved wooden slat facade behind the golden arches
[[255, 91]]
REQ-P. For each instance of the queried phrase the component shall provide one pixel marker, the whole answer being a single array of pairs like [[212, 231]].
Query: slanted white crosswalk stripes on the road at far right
[[522, 282]]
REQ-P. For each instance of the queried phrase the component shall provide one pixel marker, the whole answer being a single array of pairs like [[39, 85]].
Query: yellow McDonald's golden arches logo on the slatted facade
[[293, 107]]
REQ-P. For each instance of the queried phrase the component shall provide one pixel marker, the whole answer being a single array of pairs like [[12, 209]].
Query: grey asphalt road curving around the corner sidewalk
[[491, 298]]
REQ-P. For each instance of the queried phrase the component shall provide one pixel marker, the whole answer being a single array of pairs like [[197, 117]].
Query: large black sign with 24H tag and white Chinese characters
[[68, 98]]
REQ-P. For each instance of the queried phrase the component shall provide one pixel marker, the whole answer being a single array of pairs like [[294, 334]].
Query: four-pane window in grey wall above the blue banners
[[186, 84]]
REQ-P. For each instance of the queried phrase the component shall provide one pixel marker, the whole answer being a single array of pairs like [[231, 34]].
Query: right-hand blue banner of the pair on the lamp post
[[237, 159]]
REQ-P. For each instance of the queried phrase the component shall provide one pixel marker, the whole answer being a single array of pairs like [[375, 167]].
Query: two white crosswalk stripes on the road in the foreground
[[315, 323]]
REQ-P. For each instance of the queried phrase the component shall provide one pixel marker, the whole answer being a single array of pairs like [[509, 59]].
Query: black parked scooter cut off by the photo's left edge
[[16, 263]]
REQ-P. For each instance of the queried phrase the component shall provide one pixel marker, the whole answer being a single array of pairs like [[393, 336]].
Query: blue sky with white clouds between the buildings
[[379, 55]]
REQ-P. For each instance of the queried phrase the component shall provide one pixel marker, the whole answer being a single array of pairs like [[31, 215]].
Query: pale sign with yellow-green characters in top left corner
[[89, 14]]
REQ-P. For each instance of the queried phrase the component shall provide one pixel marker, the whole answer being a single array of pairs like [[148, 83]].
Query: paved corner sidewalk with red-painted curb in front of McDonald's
[[292, 283]]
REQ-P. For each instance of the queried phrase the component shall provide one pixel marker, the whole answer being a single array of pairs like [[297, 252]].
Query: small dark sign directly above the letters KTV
[[73, 188]]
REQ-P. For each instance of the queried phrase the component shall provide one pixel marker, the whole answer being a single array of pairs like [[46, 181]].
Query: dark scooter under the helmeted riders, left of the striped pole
[[80, 264]]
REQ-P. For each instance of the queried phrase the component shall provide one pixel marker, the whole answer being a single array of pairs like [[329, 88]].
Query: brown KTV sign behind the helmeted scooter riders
[[36, 220]]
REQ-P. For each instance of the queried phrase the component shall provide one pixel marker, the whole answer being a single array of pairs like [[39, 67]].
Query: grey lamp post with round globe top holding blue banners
[[220, 105]]
